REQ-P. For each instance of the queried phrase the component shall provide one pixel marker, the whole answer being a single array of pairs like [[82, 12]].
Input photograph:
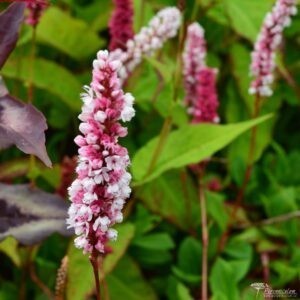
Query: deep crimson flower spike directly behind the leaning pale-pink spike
[[121, 24]]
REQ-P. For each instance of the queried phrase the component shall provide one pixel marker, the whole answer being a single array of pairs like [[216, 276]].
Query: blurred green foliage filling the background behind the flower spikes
[[158, 253]]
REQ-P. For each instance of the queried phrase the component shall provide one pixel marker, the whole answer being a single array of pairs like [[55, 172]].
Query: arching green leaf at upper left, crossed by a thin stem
[[49, 76]]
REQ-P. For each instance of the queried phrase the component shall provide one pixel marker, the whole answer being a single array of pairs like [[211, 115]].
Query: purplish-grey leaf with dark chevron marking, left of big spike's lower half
[[30, 214]]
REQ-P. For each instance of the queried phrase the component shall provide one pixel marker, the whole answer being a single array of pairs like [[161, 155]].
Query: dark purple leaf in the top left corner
[[10, 21]]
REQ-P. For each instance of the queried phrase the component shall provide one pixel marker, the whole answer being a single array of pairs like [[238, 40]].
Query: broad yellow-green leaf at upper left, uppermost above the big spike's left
[[67, 34]]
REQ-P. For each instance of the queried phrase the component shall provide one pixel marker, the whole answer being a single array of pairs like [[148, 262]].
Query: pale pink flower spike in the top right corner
[[268, 41]]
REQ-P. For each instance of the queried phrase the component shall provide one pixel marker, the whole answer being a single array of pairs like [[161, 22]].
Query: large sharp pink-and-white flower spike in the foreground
[[102, 185]]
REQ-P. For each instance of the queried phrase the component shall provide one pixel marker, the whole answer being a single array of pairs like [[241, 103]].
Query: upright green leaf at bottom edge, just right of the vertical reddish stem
[[221, 281]]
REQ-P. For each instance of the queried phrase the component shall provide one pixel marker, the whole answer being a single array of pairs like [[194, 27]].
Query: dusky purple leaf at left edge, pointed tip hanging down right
[[22, 125]]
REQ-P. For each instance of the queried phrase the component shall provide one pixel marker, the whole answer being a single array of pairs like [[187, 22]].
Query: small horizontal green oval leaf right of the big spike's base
[[154, 241]]
